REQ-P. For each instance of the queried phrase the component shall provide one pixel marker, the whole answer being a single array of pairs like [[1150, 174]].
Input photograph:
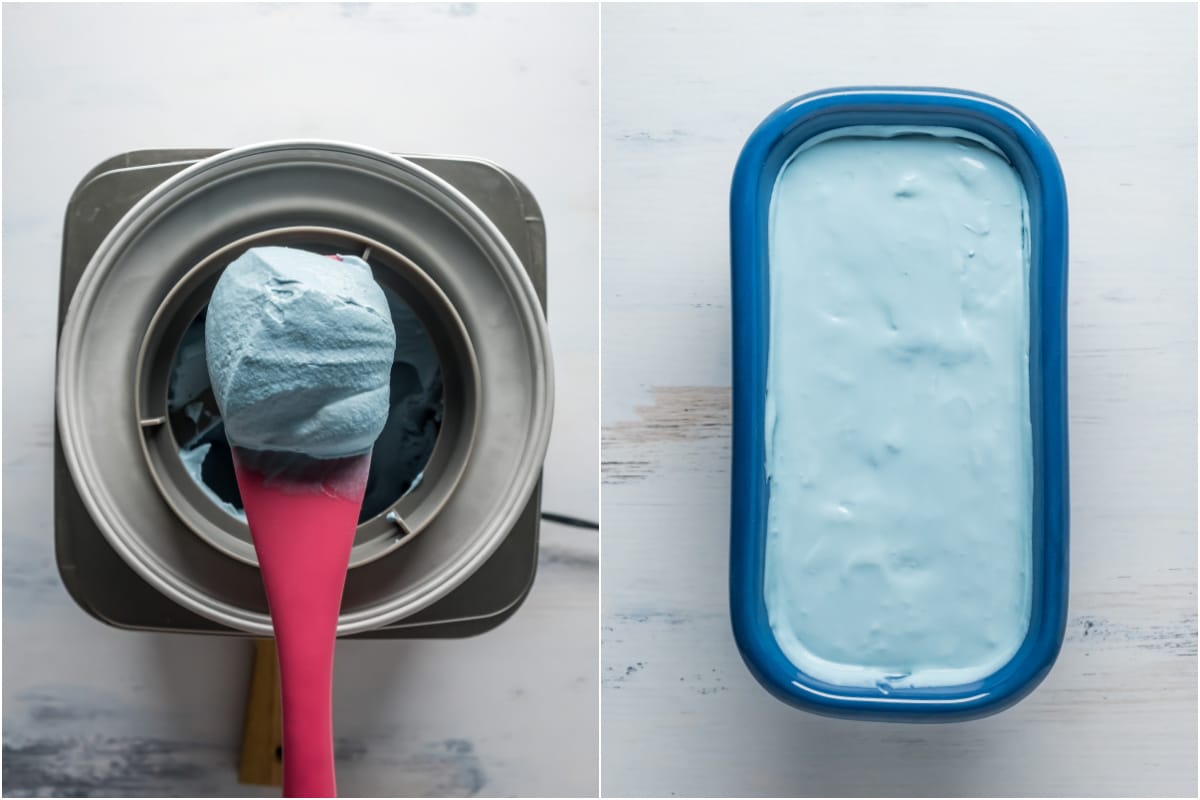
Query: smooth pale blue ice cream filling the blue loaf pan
[[899, 446]]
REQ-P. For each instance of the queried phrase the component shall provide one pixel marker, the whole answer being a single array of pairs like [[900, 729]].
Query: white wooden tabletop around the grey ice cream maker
[[93, 711]]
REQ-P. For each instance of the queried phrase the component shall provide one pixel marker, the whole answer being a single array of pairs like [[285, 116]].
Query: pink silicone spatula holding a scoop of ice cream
[[303, 524]]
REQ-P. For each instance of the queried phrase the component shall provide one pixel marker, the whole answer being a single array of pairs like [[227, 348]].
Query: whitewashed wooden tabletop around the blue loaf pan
[[1115, 91]]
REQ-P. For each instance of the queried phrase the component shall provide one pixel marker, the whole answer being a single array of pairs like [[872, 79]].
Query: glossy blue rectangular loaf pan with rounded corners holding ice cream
[[761, 161]]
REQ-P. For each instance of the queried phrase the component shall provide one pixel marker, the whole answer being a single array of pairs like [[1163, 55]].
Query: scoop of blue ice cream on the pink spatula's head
[[299, 348]]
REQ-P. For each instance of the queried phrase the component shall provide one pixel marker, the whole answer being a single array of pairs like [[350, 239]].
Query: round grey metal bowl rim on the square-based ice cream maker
[[285, 185]]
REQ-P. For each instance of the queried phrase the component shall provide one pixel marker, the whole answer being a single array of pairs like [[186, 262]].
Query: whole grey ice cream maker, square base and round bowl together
[[459, 240]]
